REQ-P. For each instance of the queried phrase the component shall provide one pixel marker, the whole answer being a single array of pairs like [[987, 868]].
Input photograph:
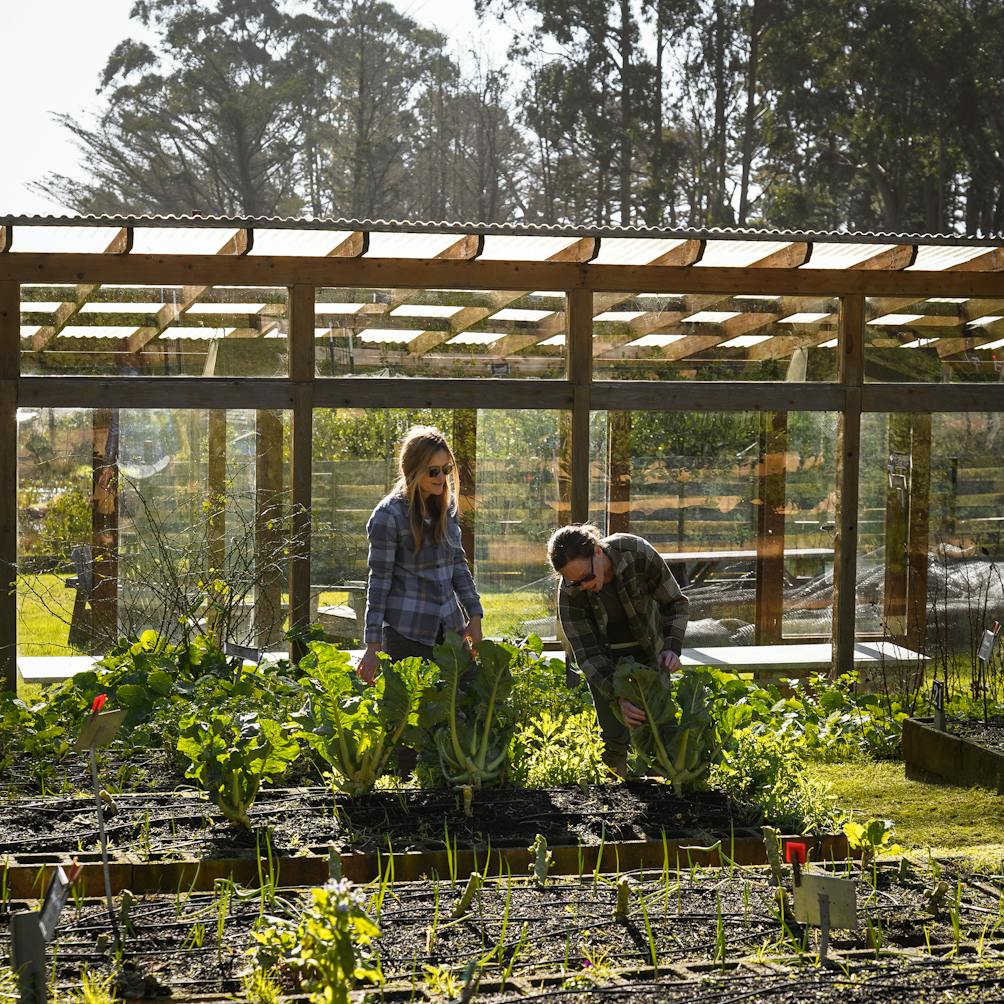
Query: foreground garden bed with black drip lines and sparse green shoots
[[687, 935]]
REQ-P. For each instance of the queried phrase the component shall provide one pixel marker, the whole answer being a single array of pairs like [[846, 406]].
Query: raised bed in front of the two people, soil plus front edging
[[165, 841]]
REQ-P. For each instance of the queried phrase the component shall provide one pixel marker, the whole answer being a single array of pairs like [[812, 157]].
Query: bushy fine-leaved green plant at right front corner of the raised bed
[[763, 775]]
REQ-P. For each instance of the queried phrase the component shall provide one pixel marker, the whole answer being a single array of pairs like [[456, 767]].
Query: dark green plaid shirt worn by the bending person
[[656, 609]]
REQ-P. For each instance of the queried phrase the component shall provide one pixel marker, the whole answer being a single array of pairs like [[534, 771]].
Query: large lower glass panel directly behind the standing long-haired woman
[[514, 495]]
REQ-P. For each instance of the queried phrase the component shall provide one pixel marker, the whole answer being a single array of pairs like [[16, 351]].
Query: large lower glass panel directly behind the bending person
[[740, 505]]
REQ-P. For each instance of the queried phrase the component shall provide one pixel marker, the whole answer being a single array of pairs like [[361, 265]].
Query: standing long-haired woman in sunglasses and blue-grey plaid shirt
[[420, 586]]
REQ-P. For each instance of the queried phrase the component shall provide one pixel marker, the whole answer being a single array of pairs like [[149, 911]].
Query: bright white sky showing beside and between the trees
[[56, 50]]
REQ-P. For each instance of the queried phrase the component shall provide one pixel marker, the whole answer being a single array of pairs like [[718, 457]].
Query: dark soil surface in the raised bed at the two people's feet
[[185, 824]]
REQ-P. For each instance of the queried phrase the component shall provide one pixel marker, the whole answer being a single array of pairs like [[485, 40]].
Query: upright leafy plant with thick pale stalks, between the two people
[[468, 715]]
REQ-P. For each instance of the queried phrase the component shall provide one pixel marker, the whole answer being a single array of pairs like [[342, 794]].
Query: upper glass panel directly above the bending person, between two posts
[[701, 337]]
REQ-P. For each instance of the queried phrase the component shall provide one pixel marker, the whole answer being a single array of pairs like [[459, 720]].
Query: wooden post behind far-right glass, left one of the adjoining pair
[[897, 526]]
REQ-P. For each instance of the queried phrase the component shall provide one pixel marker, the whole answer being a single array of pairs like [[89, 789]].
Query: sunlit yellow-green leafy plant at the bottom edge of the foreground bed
[[328, 947]]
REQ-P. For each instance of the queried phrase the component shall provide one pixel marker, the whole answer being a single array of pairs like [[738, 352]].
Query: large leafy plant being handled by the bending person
[[679, 737]]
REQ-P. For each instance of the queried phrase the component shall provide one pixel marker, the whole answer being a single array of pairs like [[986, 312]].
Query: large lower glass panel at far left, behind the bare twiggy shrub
[[136, 520]]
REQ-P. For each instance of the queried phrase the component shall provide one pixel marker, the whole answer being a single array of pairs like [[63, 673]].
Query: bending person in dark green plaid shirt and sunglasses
[[618, 598]]
